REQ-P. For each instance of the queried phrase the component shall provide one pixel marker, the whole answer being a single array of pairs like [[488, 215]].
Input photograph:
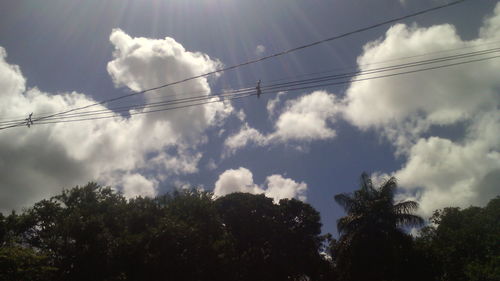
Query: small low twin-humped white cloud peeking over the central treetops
[[276, 186]]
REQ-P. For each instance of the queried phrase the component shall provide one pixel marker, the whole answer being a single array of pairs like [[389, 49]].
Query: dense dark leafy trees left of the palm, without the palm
[[93, 233]]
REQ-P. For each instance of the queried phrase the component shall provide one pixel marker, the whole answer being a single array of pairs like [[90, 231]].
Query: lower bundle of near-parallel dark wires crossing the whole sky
[[288, 86]]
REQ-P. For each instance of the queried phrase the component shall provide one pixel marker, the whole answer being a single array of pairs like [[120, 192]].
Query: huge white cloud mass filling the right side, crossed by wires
[[411, 110]]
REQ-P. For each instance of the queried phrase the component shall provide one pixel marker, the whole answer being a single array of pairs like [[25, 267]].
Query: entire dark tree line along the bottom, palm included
[[94, 233]]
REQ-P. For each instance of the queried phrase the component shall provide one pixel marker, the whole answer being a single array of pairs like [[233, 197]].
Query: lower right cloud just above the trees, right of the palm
[[446, 173]]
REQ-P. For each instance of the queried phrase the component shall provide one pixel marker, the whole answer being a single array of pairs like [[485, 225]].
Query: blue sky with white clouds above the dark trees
[[436, 131]]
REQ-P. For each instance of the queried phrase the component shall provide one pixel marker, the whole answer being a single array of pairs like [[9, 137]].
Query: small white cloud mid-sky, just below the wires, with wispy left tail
[[302, 120]]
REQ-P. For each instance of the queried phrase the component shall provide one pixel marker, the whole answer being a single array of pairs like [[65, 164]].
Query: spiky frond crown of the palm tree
[[371, 209]]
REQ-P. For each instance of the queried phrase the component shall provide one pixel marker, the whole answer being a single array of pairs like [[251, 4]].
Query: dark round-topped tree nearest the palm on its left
[[273, 241]]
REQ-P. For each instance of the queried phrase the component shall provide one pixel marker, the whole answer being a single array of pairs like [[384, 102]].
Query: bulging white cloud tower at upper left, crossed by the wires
[[141, 63]]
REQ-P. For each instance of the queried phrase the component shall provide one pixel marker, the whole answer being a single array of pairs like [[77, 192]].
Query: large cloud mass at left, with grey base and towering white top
[[40, 161]]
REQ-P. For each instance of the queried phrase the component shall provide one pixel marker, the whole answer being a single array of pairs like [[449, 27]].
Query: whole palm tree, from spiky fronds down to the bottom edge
[[373, 245]]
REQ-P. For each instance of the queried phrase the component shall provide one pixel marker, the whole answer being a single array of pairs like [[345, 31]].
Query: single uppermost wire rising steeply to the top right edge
[[284, 52]]
